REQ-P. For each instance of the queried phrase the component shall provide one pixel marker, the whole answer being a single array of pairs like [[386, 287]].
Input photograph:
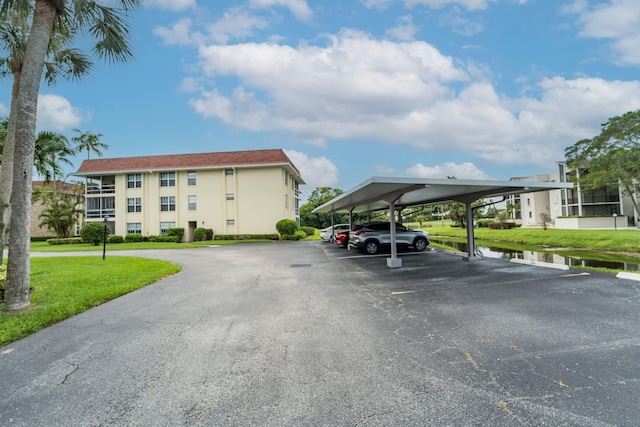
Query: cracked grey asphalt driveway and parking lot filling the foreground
[[309, 334]]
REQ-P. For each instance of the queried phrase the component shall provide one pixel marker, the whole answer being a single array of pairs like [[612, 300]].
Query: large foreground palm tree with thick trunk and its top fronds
[[109, 27]]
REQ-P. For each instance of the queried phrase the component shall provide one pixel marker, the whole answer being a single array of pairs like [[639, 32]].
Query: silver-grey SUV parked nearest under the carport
[[372, 236]]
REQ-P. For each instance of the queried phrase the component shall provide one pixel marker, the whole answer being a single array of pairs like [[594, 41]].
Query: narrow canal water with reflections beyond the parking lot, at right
[[507, 254]]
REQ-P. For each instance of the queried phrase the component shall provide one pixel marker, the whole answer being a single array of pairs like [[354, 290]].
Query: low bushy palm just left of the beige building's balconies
[[61, 207]]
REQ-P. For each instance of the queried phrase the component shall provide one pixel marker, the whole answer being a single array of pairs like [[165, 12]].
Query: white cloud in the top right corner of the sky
[[617, 21]]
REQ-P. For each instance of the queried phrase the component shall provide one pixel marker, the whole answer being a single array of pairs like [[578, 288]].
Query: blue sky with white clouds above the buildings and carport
[[351, 89]]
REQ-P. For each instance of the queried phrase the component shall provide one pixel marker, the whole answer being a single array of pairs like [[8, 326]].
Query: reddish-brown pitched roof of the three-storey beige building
[[186, 161]]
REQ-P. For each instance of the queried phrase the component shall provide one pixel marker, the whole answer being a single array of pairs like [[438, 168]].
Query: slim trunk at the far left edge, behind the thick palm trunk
[[6, 171]]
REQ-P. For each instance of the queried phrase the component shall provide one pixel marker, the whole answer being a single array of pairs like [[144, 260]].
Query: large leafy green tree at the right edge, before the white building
[[610, 159]]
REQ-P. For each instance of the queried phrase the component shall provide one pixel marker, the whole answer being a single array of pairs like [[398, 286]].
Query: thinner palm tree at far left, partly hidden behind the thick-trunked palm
[[61, 60]]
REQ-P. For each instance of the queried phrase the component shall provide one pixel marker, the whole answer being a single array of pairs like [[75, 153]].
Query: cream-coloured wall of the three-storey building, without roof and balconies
[[247, 200]]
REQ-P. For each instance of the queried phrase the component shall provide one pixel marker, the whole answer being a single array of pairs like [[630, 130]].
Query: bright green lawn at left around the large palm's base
[[65, 286]]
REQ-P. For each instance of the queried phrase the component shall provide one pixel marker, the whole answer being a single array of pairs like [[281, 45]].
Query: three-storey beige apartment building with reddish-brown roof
[[241, 192]]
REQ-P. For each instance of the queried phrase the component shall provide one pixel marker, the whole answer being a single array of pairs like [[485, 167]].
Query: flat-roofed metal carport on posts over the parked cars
[[380, 194]]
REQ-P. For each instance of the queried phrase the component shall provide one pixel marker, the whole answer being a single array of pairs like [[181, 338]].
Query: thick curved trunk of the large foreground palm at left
[[19, 265]]
